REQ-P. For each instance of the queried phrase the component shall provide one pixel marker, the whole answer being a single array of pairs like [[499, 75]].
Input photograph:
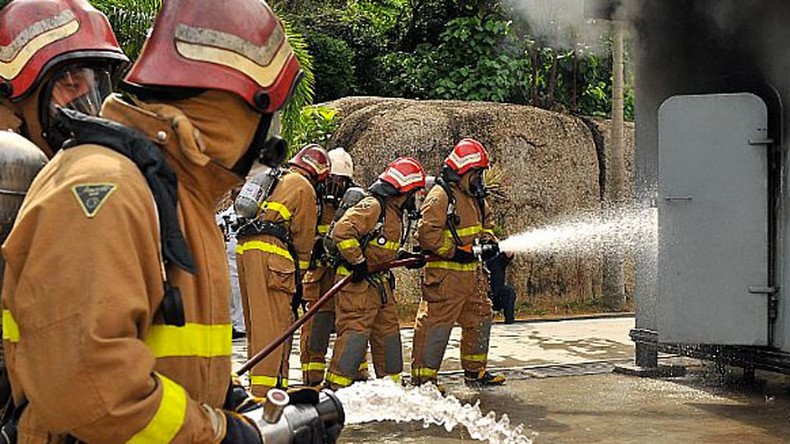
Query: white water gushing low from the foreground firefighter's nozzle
[[384, 400]]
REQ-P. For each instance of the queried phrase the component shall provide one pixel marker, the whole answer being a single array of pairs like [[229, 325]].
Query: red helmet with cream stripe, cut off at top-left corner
[[36, 35]]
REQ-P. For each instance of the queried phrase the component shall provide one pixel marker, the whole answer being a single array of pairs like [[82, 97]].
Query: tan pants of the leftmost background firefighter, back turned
[[266, 278]]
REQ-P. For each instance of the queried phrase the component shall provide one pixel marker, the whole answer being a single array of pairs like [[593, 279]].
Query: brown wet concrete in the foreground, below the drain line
[[612, 408]]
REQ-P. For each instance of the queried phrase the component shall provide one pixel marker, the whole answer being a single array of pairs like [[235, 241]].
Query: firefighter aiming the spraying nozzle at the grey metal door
[[454, 216]]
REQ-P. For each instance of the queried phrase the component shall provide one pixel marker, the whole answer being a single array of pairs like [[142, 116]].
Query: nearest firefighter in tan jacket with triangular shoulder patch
[[117, 324]]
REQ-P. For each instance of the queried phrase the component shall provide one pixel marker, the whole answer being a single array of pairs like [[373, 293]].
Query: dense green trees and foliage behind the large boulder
[[427, 49]]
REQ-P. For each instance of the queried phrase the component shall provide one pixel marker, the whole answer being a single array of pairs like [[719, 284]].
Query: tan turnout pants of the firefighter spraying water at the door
[[450, 297]]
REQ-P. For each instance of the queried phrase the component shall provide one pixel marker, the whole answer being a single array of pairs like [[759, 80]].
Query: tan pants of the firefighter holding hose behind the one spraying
[[365, 316]]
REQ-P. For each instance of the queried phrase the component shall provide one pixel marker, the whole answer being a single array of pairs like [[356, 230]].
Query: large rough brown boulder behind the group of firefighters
[[549, 161]]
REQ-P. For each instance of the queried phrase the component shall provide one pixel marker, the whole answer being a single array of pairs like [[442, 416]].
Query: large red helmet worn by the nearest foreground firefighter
[[237, 46]]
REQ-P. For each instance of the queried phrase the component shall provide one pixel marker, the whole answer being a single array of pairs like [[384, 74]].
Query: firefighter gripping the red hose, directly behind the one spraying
[[368, 235]]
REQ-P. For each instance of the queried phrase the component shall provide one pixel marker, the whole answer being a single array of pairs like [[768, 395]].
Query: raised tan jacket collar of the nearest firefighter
[[196, 172]]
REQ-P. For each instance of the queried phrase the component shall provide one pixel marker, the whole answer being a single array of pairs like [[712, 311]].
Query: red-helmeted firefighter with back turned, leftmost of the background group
[[272, 250]]
